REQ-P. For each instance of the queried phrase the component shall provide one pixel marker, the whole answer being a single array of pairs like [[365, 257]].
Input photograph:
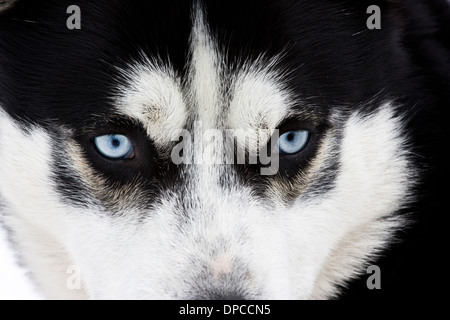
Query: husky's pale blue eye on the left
[[114, 146]]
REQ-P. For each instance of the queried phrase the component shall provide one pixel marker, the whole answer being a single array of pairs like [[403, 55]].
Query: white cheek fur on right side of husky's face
[[371, 146]]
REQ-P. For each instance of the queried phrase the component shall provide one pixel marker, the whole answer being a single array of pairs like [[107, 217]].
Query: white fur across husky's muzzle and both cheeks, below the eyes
[[299, 252]]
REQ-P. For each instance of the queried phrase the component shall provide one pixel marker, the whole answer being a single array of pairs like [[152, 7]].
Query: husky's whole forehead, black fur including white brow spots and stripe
[[232, 60]]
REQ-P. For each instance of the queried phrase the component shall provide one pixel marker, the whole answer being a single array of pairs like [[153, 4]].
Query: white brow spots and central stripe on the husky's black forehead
[[212, 91]]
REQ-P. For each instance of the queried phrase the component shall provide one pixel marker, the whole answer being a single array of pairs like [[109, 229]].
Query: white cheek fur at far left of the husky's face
[[32, 208]]
